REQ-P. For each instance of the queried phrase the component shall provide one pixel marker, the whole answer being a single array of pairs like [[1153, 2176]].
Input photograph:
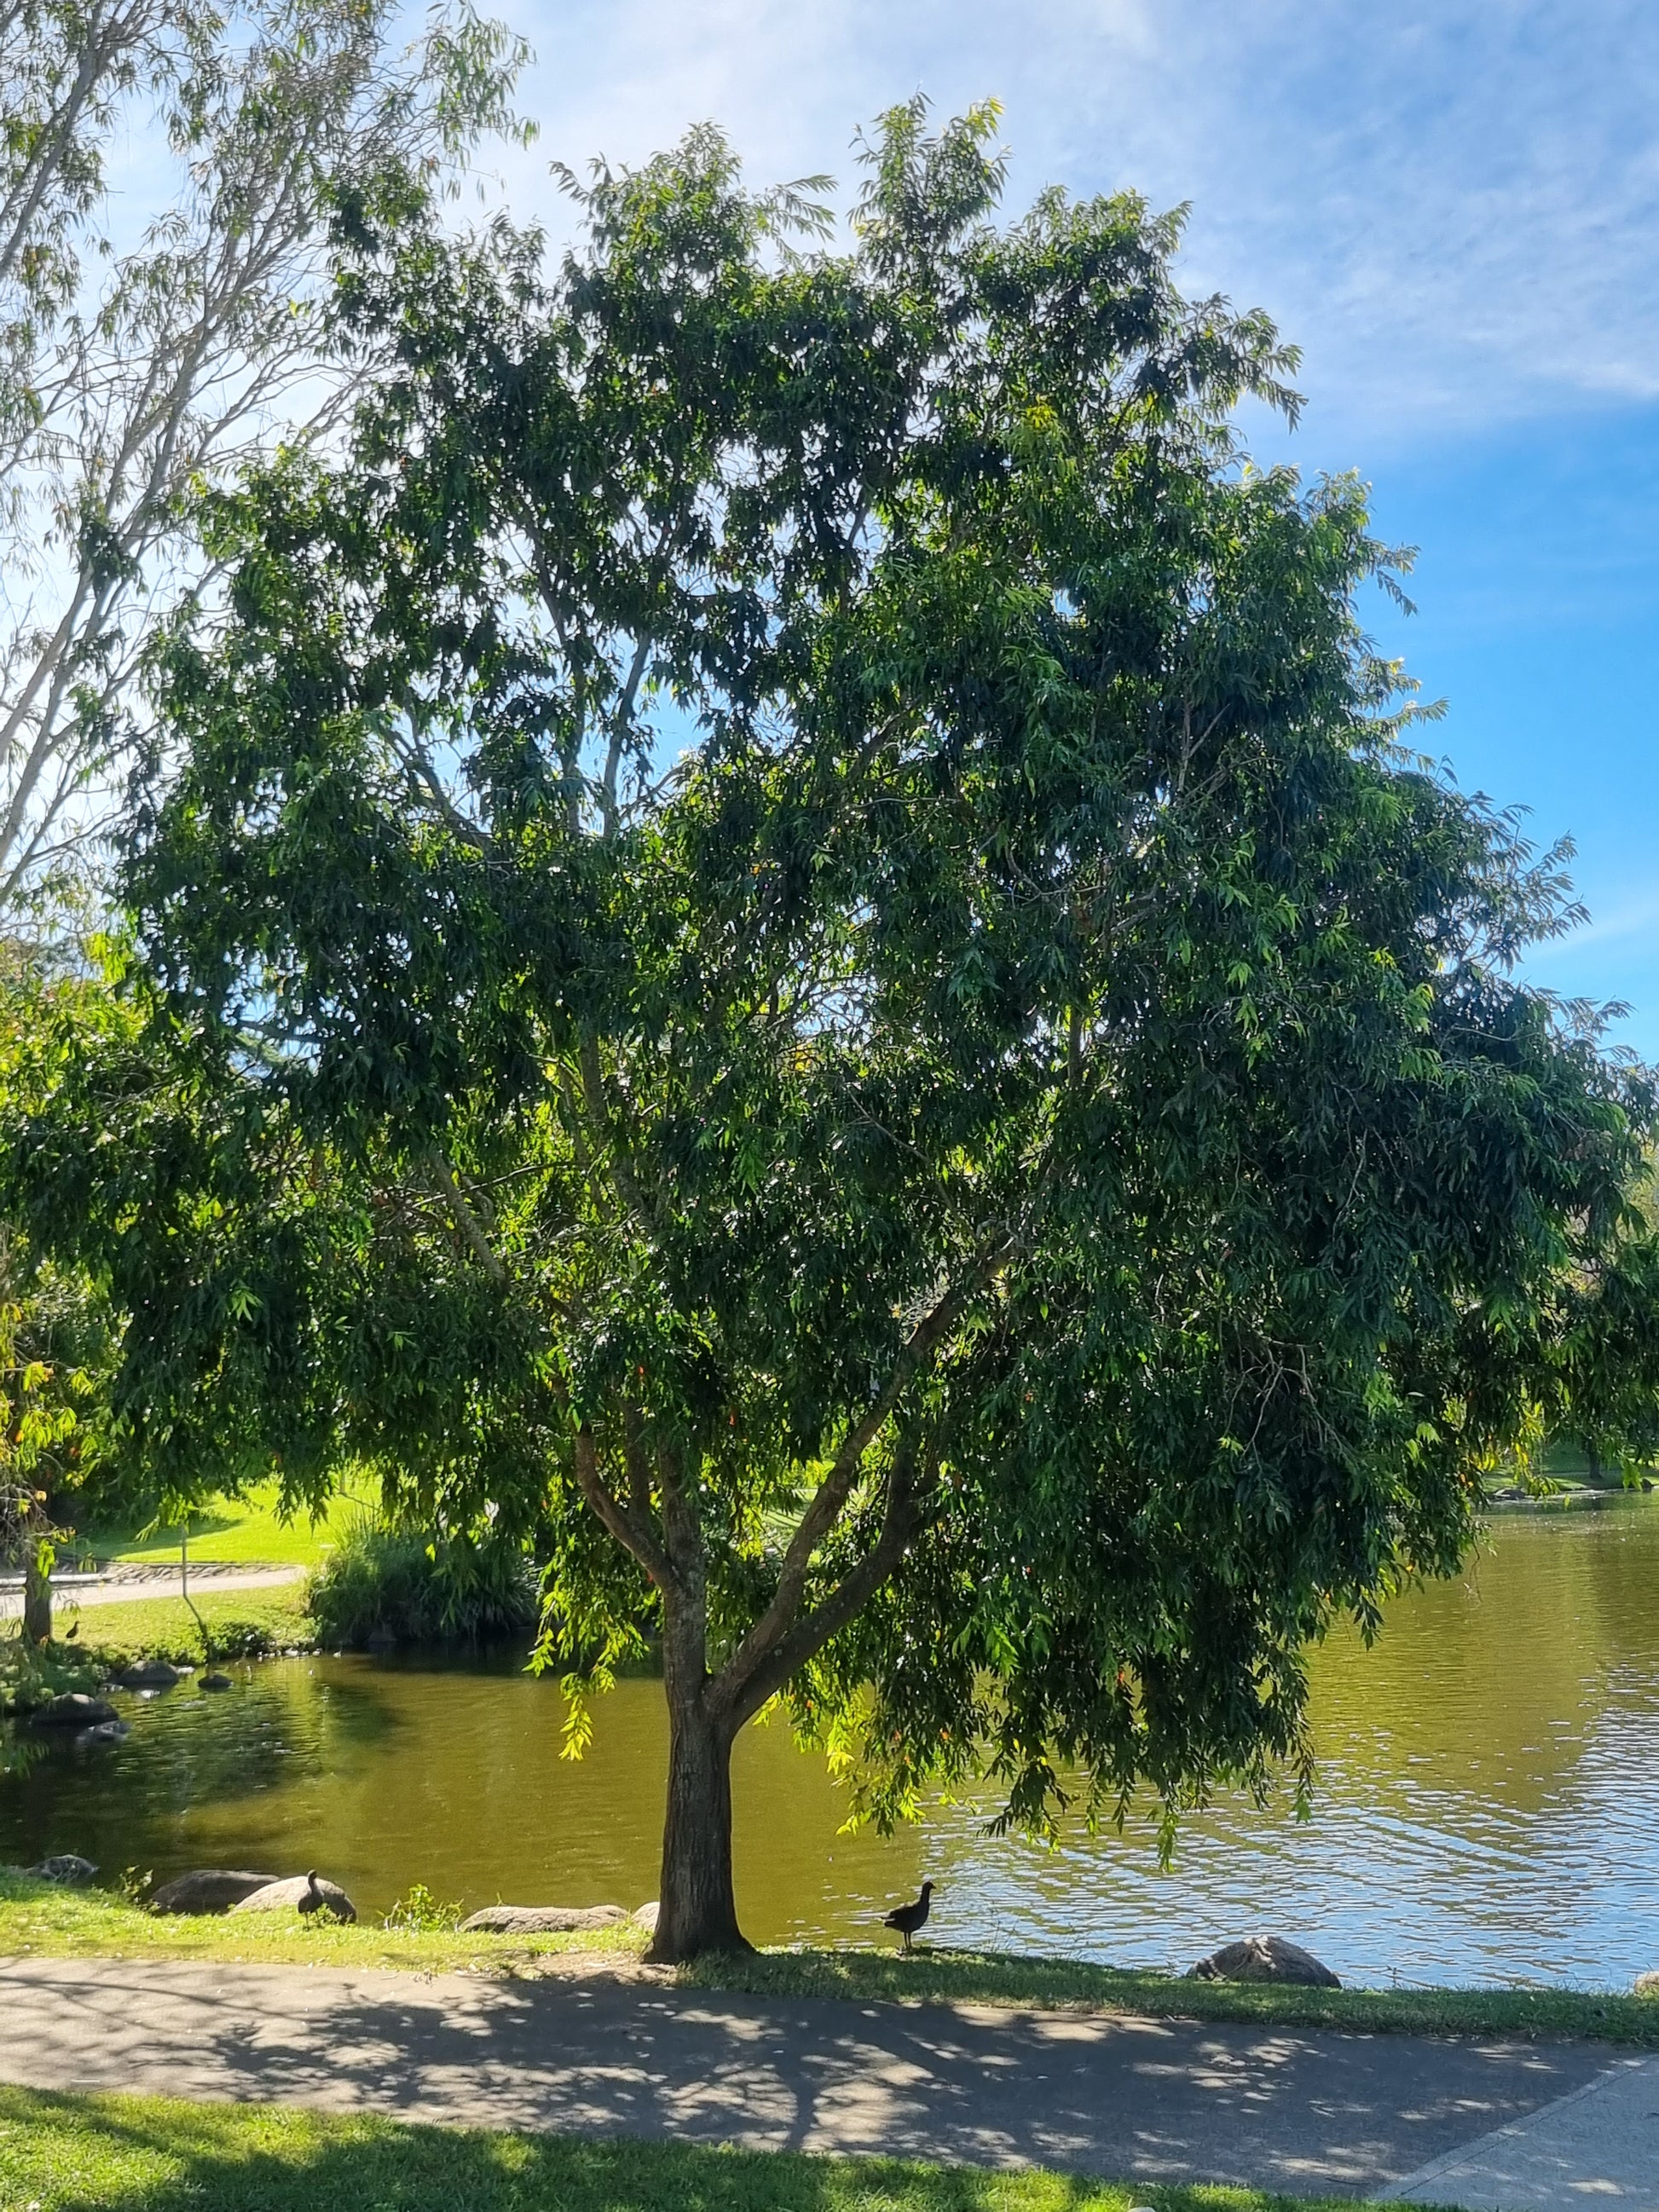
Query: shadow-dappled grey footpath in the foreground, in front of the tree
[[1545, 2125]]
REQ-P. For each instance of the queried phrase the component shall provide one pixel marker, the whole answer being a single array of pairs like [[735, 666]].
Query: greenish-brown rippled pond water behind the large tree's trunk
[[1488, 1808]]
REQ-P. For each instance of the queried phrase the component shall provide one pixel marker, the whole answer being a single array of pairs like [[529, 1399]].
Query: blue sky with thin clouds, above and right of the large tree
[[1450, 205]]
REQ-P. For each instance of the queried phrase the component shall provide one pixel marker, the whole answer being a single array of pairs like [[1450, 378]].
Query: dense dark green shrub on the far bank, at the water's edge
[[421, 1589]]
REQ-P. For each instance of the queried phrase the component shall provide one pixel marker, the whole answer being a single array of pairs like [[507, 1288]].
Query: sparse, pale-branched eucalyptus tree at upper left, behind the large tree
[[140, 359]]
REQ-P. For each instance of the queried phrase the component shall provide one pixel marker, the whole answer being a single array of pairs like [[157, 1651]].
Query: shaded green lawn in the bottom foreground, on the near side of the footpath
[[63, 2153]]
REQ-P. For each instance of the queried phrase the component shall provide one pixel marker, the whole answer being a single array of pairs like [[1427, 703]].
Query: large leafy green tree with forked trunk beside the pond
[[795, 937]]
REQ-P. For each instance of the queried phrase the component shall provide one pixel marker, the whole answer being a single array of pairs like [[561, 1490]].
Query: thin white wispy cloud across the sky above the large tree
[[1452, 205]]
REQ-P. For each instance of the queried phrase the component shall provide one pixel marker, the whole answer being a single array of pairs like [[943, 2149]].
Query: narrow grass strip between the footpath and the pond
[[45, 1921]]
